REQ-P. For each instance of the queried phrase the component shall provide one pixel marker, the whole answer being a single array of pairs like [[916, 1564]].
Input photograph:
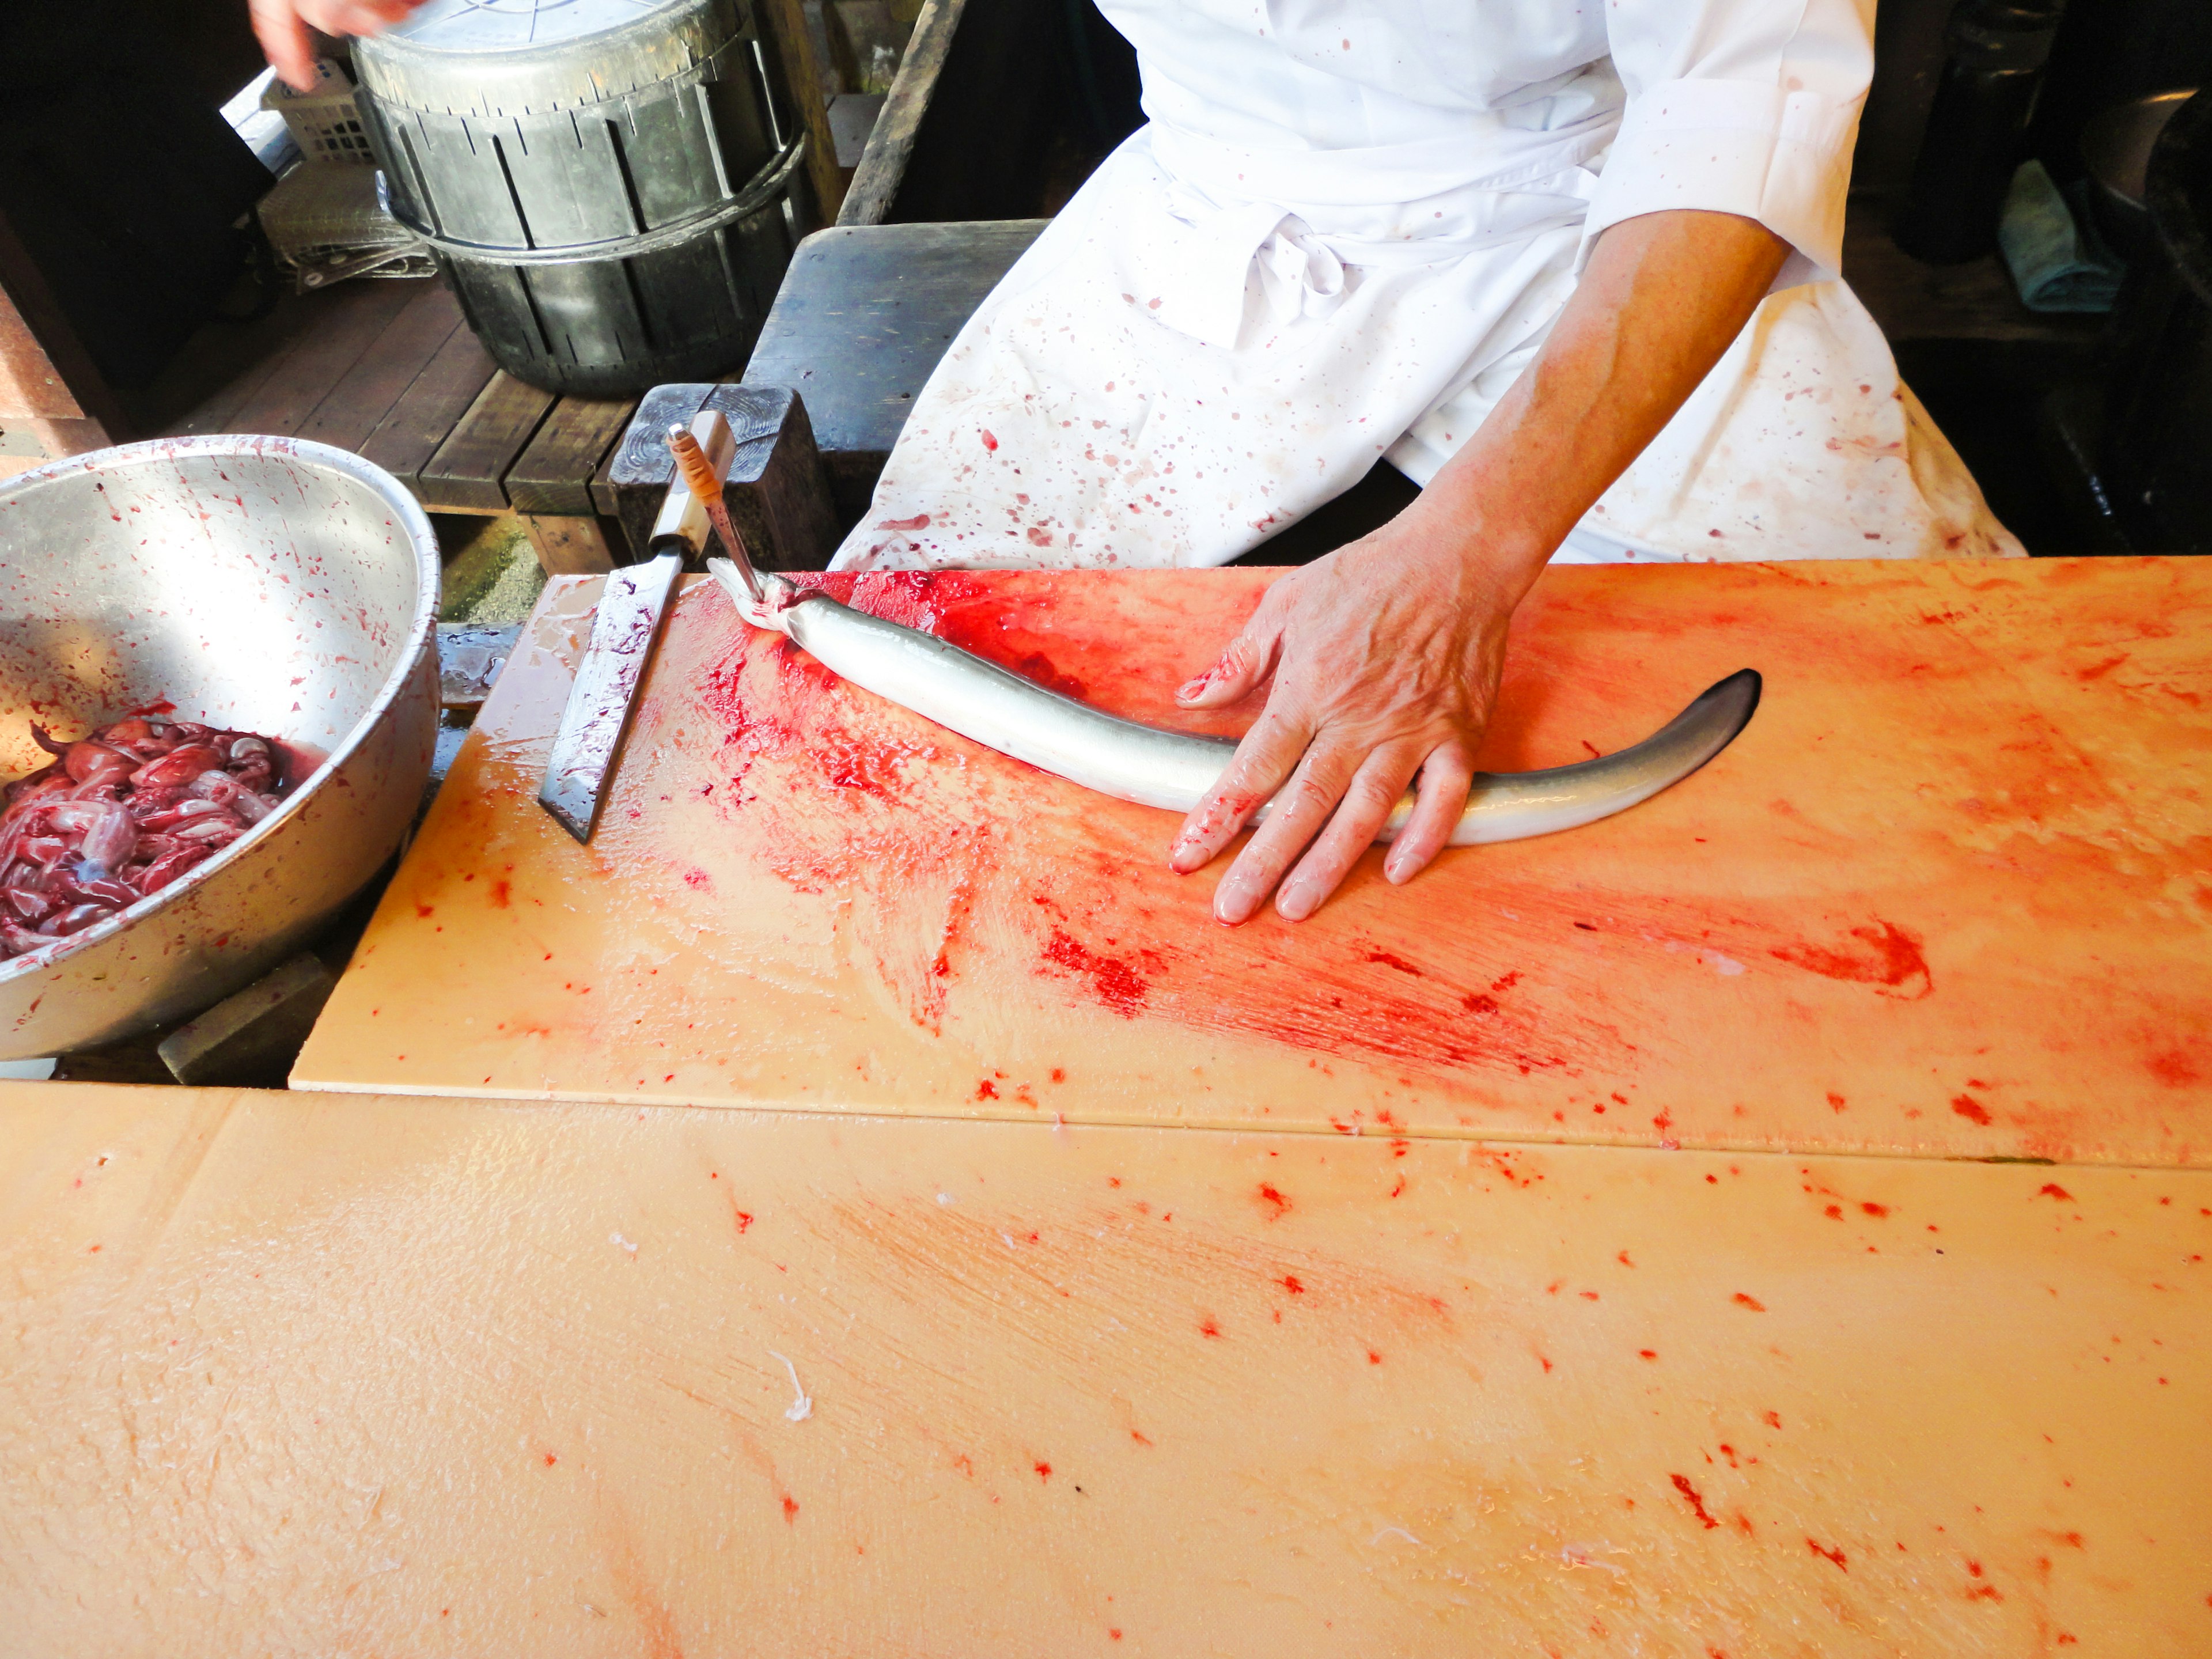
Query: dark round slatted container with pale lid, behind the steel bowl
[[614, 187]]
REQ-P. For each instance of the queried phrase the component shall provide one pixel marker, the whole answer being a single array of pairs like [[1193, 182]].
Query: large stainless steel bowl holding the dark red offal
[[255, 583]]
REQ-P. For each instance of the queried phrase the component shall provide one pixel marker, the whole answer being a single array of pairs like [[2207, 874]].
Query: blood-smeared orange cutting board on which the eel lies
[[1950, 893]]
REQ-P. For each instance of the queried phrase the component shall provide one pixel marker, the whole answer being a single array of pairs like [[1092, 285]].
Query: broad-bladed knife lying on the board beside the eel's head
[[623, 636]]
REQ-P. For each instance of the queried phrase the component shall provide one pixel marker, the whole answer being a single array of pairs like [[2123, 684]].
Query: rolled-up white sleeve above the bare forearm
[[1740, 107]]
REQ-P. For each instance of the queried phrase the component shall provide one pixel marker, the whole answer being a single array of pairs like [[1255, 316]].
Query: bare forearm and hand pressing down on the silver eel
[[1384, 658]]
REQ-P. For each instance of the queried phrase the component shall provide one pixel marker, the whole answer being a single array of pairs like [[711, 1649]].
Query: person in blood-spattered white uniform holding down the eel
[[1572, 267]]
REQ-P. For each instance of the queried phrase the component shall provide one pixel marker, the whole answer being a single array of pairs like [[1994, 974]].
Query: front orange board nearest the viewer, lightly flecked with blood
[[424, 1377]]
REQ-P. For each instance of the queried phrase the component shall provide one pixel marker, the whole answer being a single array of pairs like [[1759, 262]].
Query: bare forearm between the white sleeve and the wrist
[[1660, 302]]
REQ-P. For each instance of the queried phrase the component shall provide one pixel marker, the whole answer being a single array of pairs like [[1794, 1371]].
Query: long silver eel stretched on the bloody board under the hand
[[1176, 771]]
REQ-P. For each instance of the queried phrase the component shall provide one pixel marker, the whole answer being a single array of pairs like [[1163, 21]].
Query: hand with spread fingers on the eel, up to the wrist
[[1384, 662]]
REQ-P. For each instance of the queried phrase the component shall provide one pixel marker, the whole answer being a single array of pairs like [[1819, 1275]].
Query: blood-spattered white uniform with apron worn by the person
[[1348, 229]]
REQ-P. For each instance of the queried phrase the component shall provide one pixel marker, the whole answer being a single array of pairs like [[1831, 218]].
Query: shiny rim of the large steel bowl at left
[[426, 620]]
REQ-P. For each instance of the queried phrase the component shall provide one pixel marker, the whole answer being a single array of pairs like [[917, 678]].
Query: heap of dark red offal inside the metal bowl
[[118, 815]]
